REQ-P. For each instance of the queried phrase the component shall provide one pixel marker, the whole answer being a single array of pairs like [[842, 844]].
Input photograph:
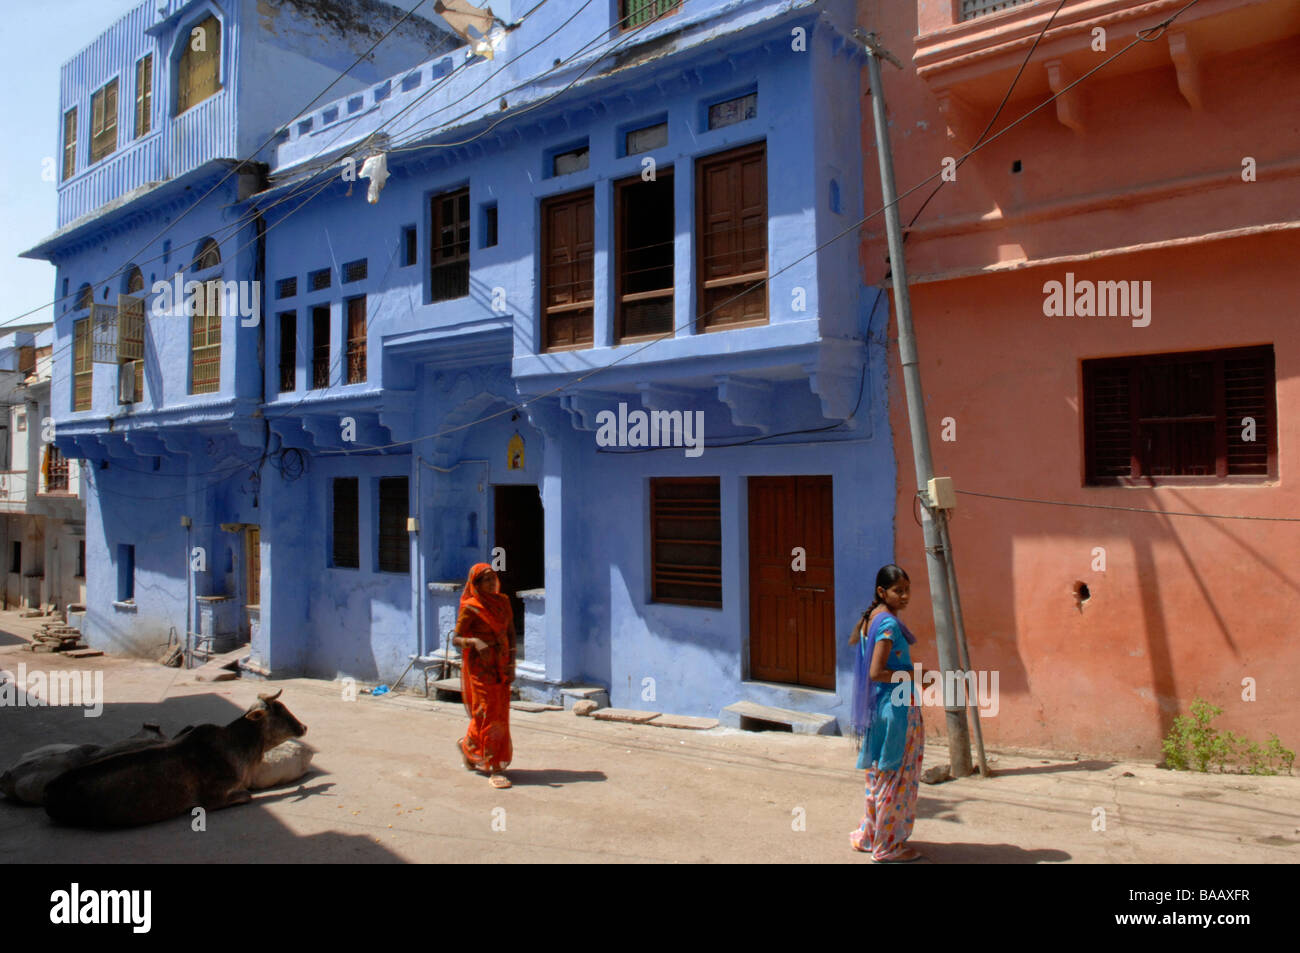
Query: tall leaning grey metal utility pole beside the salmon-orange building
[[931, 519]]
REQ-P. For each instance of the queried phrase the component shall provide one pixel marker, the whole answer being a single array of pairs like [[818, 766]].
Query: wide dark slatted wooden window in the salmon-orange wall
[[1201, 417]]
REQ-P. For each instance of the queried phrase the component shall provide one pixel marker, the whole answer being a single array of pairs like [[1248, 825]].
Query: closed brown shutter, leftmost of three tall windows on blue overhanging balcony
[[567, 279]]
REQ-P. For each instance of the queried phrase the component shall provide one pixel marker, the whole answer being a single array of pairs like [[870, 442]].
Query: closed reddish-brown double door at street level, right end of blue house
[[791, 610]]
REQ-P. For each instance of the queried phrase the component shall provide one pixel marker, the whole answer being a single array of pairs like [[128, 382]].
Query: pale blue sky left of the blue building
[[38, 38]]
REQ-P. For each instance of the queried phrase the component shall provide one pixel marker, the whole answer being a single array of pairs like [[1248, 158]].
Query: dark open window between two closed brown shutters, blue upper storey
[[644, 253]]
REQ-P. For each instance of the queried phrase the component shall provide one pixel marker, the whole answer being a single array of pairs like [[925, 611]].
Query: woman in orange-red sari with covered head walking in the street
[[486, 635]]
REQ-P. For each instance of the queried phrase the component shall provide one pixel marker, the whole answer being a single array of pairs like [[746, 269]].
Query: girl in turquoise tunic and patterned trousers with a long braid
[[887, 724]]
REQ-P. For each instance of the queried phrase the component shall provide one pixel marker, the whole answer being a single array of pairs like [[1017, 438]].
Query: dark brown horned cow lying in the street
[[209, 766]]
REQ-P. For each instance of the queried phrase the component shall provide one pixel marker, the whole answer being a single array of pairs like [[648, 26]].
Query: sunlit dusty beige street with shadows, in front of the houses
[[388, 787]]
